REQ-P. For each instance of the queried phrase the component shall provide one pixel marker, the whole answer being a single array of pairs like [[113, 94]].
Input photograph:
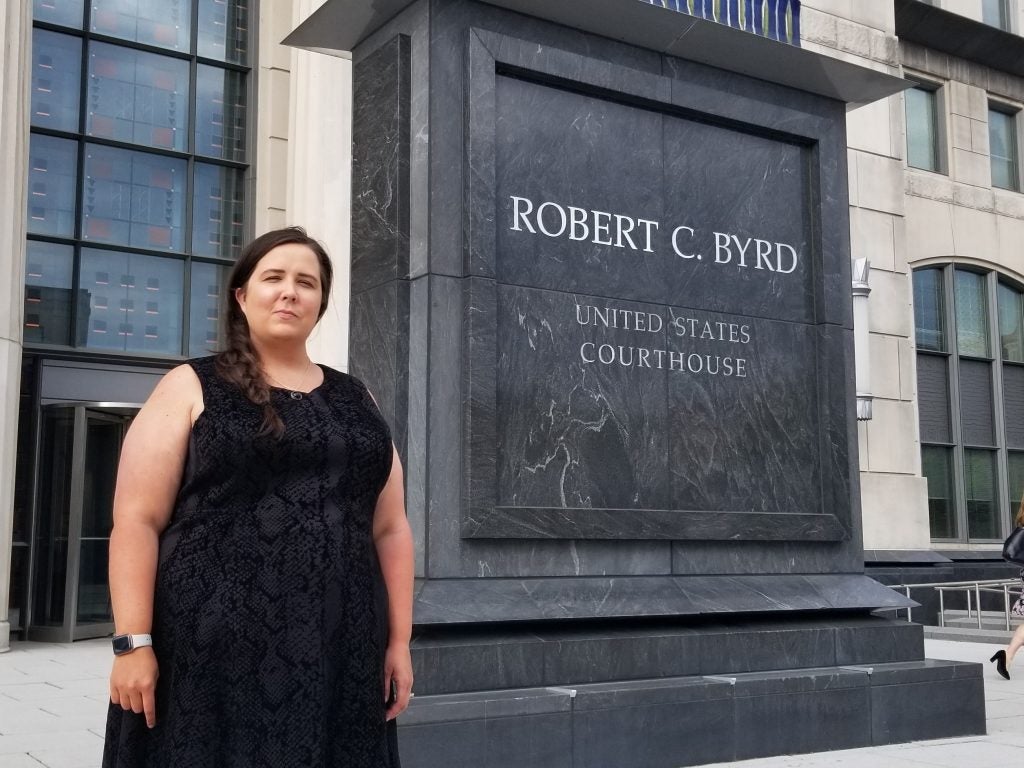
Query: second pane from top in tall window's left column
[[57, 70]]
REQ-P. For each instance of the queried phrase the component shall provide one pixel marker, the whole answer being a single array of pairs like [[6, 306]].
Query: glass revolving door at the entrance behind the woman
[[80, 447]]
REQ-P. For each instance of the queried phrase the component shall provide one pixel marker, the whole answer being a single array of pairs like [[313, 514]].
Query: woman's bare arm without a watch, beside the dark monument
[[394, 539]]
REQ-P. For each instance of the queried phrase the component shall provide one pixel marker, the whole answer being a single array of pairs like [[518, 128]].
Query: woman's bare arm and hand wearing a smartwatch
[[152, 462]]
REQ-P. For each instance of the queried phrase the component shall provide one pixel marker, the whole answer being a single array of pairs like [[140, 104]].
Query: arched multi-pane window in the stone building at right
[[970, 336]]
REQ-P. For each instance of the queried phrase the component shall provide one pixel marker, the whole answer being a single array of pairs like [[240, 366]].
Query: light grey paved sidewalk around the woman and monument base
[[54, 706]]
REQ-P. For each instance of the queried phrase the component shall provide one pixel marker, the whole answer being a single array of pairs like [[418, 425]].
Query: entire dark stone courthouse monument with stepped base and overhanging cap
[[602, 287]]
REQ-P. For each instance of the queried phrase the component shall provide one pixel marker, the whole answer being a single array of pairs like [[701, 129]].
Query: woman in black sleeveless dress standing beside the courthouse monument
[[261, 538]]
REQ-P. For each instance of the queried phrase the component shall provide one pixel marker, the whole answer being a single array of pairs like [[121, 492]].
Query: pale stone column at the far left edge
[[16, 28]]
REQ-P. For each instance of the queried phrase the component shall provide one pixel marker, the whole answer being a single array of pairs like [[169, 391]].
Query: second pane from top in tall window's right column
[[221, 113]]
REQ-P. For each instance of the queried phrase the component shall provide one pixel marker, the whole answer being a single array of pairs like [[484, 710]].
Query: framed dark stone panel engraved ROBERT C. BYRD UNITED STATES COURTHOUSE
[[648, 421]]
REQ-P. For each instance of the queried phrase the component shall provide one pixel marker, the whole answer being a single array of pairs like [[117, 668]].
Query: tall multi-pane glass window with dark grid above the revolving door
[[151, 175]]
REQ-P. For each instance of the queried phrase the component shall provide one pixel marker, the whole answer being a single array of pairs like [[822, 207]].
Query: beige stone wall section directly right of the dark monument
[[894, 498]]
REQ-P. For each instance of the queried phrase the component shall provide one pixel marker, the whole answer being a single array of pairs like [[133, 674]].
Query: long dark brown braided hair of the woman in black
[[239, 362]]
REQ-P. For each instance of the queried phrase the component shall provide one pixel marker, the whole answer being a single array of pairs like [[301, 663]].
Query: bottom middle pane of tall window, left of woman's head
[[135, 302]]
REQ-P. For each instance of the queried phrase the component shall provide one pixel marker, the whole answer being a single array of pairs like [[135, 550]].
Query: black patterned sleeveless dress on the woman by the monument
[[271, 613]]
